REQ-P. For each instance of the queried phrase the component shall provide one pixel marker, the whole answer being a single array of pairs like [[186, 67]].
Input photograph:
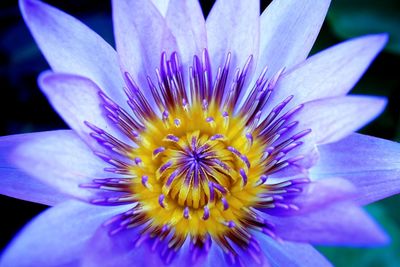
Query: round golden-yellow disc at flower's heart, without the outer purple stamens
[[197, 169]]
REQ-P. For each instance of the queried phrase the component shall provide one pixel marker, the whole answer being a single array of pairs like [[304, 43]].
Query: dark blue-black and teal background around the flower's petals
[[24, 109]]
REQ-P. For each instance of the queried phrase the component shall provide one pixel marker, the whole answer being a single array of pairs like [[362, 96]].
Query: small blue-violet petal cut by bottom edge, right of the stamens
[[291, 254]]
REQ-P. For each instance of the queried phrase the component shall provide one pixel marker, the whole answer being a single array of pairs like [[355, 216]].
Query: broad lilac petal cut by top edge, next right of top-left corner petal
[[141, 35]]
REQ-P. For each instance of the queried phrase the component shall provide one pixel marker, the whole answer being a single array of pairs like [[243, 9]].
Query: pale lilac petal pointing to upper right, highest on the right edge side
[[332, 72]]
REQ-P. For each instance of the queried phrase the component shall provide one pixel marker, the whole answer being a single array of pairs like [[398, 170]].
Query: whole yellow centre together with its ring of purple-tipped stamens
[[200, 160]]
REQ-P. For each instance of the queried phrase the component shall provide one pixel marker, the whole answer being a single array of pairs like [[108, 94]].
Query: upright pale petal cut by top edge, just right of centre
[[233, 26]]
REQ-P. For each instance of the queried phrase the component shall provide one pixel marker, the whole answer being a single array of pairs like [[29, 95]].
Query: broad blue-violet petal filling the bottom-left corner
[[57, 236]]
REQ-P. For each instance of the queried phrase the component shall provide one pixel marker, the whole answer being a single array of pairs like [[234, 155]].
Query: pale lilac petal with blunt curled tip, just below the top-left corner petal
[[77, 100]]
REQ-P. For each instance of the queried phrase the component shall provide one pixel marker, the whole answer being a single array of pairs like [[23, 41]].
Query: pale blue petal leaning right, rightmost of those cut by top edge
[[288, 31]]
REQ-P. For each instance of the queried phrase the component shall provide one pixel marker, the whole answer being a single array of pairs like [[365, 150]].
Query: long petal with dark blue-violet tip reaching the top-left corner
[[71, 47]]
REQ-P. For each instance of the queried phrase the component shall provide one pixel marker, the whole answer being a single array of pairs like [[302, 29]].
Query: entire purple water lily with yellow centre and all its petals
[[202, 143]]
